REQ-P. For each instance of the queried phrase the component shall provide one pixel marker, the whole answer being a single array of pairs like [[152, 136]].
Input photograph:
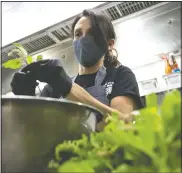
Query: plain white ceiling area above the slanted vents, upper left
[[22, 19]]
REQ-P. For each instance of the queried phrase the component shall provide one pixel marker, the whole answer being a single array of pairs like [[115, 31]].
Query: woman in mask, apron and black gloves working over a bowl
[[101, 81]]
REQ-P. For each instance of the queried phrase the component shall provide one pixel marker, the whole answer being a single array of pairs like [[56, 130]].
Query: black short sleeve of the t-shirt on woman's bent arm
[[126, 85]]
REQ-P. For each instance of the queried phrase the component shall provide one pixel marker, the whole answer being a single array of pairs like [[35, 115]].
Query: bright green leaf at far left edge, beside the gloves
[[13, 64]]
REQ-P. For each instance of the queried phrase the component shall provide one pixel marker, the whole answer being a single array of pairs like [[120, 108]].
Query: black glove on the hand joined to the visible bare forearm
[[51, 71]]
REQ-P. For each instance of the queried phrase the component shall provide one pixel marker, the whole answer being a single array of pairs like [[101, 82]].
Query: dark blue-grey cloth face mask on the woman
[[87, 51]]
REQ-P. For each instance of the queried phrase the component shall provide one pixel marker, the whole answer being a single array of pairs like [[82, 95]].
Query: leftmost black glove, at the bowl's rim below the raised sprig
[[23, 83]]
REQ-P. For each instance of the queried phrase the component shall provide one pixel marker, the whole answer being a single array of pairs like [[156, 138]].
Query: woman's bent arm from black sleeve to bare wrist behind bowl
[[125, 96]]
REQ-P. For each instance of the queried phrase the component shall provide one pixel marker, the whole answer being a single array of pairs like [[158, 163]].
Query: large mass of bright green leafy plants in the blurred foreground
[[152, 145]]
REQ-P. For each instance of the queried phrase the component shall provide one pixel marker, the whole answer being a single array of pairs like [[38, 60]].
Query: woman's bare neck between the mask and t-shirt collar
[[90, 70]]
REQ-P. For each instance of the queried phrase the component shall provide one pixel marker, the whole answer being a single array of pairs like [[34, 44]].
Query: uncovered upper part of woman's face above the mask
[[82, 27]]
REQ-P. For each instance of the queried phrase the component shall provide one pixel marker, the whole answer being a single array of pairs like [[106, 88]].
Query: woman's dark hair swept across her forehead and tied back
[[102, 31]]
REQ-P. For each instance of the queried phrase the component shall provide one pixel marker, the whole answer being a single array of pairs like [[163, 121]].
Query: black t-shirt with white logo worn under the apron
[[119, 81]]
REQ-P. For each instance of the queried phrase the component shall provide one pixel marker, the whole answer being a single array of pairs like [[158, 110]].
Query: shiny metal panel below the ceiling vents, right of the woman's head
[[141, 39]]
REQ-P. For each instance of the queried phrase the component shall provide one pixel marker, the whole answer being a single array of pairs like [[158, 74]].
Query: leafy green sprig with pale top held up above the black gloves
[[22, 57]]
